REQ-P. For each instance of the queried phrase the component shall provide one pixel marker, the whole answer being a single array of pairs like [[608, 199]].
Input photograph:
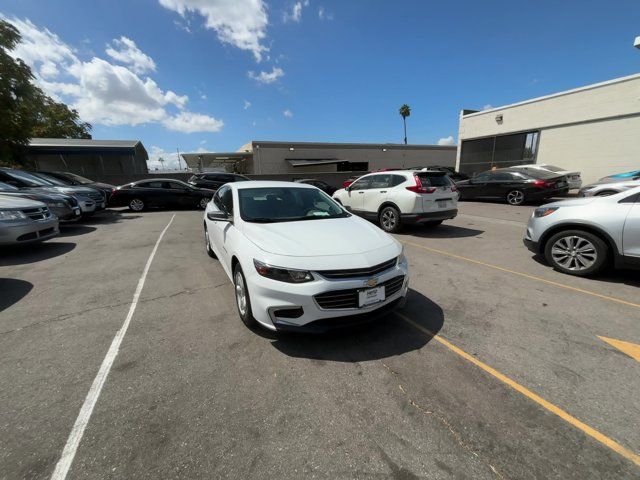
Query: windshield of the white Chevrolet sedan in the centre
[[286, 204]]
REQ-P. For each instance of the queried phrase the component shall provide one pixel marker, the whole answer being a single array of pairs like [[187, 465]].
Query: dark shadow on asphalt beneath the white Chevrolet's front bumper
[[387, 337]]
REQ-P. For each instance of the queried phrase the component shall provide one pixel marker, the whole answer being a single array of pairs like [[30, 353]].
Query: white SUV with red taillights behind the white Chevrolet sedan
[[401, 196]]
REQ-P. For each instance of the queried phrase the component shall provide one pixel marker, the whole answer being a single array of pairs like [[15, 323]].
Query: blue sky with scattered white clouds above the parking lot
[[214, 74]]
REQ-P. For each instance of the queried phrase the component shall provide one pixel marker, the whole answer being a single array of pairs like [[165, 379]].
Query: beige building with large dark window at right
[[593, 129]]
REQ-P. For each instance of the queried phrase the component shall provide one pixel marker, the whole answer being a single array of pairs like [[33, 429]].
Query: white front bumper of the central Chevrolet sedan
[[268, 297]]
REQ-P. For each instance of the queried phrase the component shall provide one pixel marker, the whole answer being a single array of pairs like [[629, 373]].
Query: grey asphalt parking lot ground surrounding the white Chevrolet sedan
[[516, 383]]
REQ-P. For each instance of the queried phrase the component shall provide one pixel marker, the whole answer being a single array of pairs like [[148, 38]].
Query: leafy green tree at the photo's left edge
[[25, 110]]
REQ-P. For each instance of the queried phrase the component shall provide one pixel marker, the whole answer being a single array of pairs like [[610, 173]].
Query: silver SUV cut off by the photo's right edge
[[581, 236]]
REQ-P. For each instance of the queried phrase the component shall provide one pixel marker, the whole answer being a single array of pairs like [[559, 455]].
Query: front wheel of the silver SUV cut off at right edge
[[576, 252]]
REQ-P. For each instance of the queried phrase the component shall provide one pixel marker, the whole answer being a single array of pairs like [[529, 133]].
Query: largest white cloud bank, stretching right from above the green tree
[[103, 92]]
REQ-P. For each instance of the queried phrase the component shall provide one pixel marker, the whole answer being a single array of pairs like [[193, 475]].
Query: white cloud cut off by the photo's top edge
[[241, 23]]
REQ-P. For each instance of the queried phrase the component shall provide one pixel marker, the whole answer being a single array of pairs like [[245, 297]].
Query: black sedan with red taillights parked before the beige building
[[514, 187]]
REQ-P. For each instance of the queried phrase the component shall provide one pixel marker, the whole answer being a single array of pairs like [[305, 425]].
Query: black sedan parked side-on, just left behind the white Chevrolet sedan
[[160, 192]]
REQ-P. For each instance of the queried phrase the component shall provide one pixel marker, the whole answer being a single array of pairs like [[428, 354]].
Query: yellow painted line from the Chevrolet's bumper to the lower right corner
[[603, 439]]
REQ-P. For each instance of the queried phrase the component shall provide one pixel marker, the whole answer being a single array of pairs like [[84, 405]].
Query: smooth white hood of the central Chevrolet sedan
[[313, 238]]
